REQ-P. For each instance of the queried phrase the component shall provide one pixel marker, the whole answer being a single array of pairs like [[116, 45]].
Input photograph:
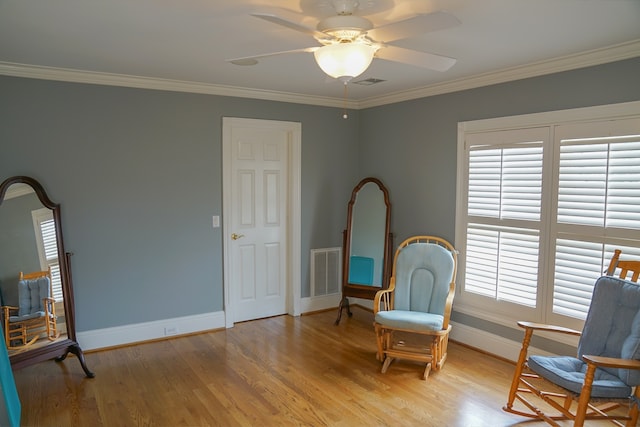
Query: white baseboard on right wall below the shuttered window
[[490, 343]]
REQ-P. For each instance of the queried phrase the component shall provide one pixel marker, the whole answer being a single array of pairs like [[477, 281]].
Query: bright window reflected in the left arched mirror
[[46, 240]]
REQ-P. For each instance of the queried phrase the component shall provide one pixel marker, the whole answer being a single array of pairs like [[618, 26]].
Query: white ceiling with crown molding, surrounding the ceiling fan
[[184, 44]]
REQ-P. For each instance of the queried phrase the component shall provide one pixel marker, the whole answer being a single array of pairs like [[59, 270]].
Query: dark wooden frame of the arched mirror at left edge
[[58, 349]]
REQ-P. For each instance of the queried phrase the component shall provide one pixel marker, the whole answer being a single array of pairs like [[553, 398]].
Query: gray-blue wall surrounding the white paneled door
[[137, 174]]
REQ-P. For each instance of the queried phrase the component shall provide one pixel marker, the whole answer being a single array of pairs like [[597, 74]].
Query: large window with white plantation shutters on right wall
[[542, 204]]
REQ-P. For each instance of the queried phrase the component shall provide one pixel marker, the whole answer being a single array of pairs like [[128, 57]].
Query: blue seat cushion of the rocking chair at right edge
[[568, 372]]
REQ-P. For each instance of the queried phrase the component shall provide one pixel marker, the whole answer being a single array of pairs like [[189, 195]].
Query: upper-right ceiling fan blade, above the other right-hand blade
[[414, 26]]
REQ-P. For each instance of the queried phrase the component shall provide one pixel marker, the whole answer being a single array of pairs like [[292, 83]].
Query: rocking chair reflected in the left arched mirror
[[34, 315]]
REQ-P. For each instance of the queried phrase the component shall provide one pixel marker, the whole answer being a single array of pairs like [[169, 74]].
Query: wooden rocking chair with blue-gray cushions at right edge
[[601, 382]]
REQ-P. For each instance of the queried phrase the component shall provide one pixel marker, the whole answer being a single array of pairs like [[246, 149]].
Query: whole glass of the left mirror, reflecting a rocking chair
[[30, 279]]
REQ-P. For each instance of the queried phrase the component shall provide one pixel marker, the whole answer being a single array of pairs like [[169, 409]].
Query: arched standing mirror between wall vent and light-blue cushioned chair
[[367, 243]]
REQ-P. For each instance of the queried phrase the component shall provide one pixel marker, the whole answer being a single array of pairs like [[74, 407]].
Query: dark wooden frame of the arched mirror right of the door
[[357, 290]]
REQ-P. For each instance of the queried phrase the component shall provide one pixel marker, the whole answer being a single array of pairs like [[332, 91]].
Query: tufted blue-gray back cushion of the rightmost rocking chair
[[612, 326]]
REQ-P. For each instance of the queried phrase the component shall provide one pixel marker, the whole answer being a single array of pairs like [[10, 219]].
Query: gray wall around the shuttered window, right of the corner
[[412, 145]]
